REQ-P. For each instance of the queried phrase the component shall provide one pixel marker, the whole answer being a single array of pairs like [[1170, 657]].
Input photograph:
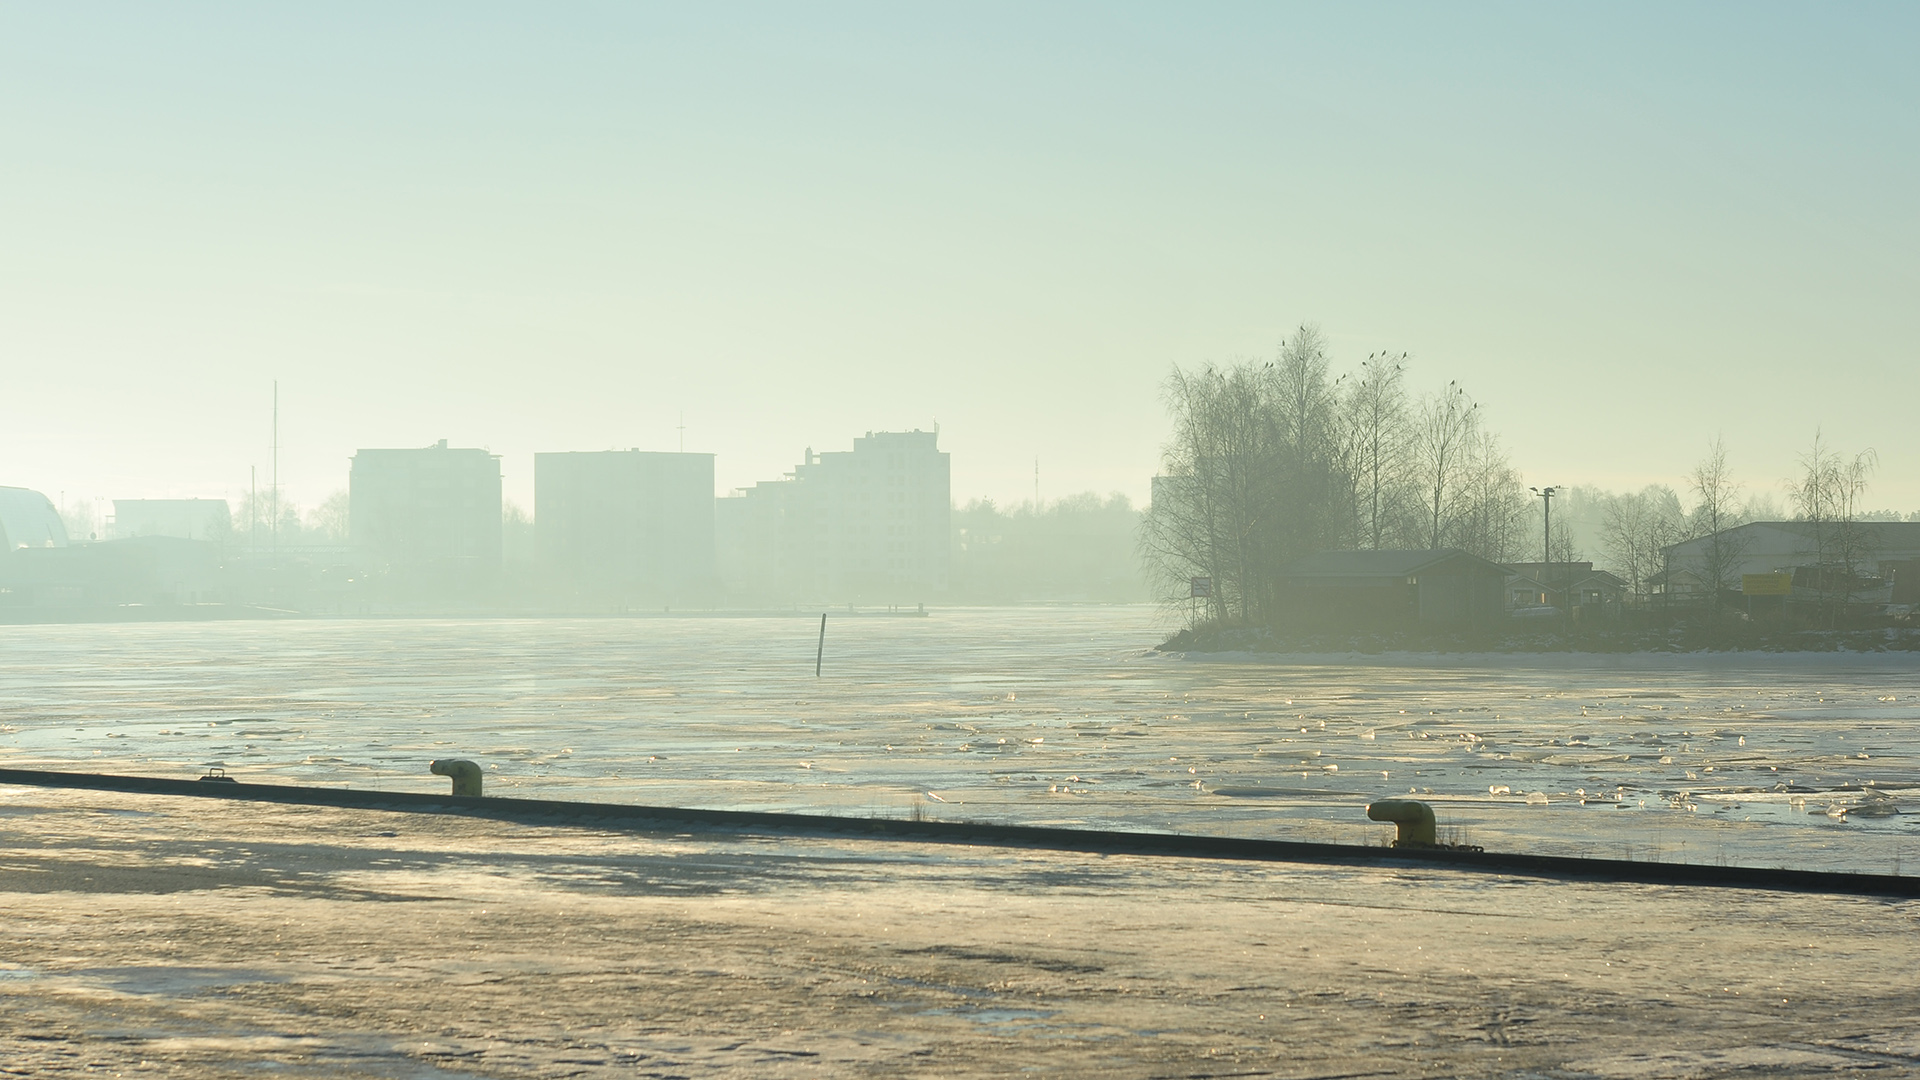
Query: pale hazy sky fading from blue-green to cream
[[562, 226]]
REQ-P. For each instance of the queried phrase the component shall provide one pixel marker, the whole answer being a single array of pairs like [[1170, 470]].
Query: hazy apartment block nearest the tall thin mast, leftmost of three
[[431, 508]]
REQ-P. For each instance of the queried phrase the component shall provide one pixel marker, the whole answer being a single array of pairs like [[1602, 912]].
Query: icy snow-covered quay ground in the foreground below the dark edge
[[176, 937]]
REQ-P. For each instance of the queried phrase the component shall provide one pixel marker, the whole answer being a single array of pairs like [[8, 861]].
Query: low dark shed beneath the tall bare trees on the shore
[[1385, 589]]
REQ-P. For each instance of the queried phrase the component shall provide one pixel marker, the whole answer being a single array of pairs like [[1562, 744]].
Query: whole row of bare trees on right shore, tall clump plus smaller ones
[[1284, 458]]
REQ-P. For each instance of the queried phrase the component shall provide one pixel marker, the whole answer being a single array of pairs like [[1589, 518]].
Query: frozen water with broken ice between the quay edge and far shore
[[1038, 716]]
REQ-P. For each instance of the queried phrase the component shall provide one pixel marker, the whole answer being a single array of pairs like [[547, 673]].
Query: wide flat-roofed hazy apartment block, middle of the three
[[627, 526]]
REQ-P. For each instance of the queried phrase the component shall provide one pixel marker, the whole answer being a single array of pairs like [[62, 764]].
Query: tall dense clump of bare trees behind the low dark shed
[[1278, 460]]
